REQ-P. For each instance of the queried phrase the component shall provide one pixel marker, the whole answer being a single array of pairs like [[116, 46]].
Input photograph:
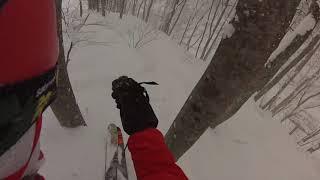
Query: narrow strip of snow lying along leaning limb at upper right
[[305, 25]]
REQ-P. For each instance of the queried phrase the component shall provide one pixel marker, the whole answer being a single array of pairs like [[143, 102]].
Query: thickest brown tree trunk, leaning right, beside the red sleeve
[[235, 72]]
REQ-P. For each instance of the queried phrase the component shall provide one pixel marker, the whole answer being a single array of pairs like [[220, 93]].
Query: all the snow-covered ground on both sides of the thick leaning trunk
[[250, 146]]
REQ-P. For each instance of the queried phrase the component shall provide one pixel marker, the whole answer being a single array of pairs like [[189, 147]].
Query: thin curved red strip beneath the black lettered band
[[19, 174]]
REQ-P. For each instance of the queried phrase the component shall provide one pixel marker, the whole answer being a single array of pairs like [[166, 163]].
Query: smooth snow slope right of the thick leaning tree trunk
[[247, 147]]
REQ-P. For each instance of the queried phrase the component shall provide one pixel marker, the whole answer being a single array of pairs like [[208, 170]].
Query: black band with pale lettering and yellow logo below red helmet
[[21, 105]]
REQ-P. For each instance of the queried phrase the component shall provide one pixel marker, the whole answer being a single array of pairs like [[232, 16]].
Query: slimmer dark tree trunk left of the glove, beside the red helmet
[[65, 106]]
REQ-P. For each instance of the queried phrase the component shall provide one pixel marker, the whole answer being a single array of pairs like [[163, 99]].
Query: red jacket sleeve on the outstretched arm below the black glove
[[152, 158]]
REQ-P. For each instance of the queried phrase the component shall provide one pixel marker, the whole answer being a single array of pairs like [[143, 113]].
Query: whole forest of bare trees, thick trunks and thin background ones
[[238, 37]]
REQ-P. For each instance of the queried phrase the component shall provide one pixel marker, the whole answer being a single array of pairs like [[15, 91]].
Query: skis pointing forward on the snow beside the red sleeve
[[115, 159]]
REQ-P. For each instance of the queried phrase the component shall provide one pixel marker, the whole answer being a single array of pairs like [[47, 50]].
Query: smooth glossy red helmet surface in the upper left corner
[[28, 35]]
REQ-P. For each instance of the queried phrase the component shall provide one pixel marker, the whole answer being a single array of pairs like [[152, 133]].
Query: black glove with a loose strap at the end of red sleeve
[[133, 101]]
